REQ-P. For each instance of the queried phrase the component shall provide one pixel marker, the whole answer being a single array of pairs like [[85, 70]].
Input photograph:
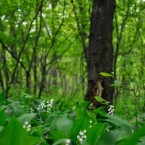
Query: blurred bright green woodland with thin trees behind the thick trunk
[[43, 45]]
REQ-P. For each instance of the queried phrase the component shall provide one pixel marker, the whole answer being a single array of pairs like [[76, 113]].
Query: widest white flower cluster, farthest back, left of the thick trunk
[[46, 105]]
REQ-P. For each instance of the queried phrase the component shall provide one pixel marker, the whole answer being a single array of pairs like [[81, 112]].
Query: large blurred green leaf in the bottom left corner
[[15, 134]]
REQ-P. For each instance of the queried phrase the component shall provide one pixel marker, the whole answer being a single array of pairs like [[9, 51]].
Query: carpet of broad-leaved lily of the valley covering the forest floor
[[44, 122]]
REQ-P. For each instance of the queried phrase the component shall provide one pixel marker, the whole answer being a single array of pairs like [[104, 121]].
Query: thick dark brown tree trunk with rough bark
[[100, 52]]
